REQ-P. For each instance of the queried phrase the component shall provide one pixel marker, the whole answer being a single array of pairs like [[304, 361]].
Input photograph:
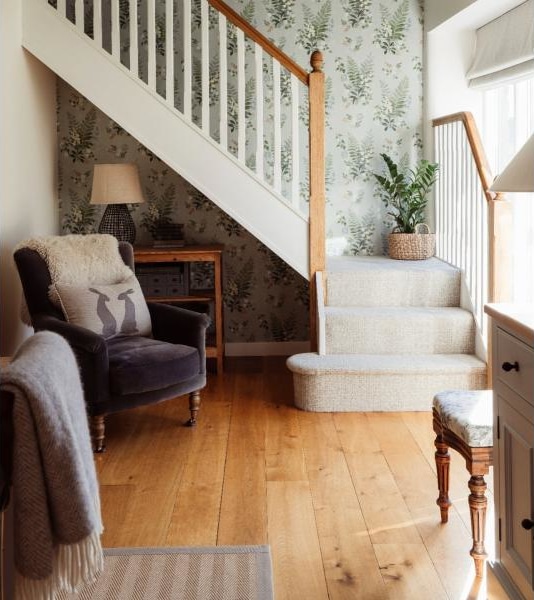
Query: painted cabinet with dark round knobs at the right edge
[[512, 367]]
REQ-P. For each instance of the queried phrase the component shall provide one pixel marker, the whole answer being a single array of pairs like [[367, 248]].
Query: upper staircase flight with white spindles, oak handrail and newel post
[[178, 82]]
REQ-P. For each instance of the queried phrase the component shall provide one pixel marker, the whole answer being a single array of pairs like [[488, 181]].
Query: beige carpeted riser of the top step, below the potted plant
[[393, 288]]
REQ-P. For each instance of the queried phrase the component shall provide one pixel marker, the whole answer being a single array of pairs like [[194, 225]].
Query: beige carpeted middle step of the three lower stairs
[[403, 330]]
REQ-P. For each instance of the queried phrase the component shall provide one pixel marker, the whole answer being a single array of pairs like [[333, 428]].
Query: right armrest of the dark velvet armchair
[[179, 325]]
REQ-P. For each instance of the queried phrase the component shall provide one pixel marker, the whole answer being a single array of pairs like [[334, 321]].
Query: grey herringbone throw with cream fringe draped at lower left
[[55, 490]]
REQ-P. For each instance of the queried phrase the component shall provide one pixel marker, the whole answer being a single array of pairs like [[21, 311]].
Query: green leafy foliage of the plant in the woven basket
[[405, 192]]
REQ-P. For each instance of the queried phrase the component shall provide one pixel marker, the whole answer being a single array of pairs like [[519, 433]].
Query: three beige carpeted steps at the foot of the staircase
[[391, 334]]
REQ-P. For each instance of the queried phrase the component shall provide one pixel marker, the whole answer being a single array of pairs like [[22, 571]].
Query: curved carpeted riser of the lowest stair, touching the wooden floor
[[352, 392]]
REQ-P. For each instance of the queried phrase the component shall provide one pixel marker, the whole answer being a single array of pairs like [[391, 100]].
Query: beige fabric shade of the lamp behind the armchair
[[116, 184]]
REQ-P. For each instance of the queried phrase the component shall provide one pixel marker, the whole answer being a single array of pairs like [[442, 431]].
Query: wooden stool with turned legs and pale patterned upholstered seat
[[463, 420]]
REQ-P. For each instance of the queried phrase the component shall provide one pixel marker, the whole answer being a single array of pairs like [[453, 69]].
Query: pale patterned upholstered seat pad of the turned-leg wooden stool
[[468, 414]]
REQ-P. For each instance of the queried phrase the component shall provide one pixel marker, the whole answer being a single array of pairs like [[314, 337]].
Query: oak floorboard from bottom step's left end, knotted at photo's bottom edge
[[349, 561]]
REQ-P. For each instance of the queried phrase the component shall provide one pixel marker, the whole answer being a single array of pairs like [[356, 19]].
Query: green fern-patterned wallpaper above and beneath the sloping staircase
[[373, 54]]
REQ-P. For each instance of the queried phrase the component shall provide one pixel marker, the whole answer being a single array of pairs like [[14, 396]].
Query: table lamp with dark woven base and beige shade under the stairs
[[116, 186]]
